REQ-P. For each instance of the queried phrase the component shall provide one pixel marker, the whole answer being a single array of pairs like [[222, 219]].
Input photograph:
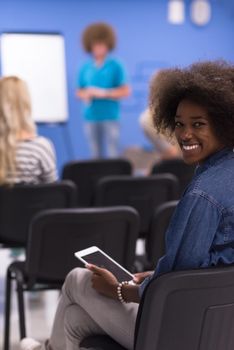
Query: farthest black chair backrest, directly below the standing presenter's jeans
[[85, 174]]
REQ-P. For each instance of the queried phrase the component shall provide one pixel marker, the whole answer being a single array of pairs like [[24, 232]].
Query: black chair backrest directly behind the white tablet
[[55, 236]]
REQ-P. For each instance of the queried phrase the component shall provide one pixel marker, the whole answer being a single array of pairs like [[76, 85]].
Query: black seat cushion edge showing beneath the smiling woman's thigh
[[100, 342]]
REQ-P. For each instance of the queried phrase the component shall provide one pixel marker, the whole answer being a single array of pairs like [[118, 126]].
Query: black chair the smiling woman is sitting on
[[187, 310]]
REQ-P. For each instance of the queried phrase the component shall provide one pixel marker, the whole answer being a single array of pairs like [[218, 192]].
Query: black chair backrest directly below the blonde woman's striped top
[[20, 203]]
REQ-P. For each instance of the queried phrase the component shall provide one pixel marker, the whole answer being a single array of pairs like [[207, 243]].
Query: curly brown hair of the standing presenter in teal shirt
[[99, 33]]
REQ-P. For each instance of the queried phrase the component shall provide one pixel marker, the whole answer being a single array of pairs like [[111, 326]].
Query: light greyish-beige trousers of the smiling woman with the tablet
[[83, 312]]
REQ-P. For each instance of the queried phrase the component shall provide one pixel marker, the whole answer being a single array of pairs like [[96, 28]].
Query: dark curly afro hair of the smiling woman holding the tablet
[[209, 84]]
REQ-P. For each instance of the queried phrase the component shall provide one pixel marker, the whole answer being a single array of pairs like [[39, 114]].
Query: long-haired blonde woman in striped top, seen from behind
[[25, 157]]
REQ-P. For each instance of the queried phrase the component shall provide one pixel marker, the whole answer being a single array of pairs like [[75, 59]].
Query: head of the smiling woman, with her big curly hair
[[201, 97]]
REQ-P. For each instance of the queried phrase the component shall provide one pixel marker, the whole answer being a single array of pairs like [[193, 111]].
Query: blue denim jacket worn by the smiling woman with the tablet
[[201, 232]]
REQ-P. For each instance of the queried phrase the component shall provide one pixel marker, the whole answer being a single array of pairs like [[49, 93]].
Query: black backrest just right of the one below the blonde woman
[[144, 194]]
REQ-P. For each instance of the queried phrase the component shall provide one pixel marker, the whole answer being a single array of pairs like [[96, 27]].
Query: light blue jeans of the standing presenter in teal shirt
[[103, 138]]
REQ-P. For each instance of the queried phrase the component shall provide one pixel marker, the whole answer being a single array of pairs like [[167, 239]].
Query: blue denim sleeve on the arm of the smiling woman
[[190, 234]]
